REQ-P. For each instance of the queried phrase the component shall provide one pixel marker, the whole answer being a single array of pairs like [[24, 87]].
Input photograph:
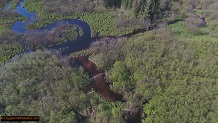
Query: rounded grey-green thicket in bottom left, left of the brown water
[[42, 83]]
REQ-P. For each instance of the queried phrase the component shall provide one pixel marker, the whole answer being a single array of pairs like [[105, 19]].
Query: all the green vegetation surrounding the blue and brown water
[[167, 74]]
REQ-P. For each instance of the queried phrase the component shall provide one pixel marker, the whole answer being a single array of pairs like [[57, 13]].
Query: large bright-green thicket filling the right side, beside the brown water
[[172, 75]]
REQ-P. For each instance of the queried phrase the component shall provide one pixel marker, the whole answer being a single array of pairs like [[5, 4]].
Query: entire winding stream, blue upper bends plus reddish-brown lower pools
[[97, 76]]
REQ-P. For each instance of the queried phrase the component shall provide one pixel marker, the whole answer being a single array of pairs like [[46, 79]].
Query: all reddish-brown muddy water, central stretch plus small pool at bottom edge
[[101, 84]]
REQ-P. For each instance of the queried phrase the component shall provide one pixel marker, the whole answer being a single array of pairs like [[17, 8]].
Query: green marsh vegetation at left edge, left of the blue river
[[8, 40]]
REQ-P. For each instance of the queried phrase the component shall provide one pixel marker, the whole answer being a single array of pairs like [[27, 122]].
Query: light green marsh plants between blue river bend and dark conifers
[[102, 22]]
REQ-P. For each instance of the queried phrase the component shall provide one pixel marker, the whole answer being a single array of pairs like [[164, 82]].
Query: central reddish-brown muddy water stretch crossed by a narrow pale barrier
[[99, 82]]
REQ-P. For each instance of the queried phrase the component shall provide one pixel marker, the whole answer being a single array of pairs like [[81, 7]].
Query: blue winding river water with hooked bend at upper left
[[67, 47]]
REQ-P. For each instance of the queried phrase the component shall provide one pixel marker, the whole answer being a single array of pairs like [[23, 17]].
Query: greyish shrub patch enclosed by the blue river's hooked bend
[[47, 38]]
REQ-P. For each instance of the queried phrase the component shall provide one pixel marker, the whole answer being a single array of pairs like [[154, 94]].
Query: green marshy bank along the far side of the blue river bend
[[103, 22]]
